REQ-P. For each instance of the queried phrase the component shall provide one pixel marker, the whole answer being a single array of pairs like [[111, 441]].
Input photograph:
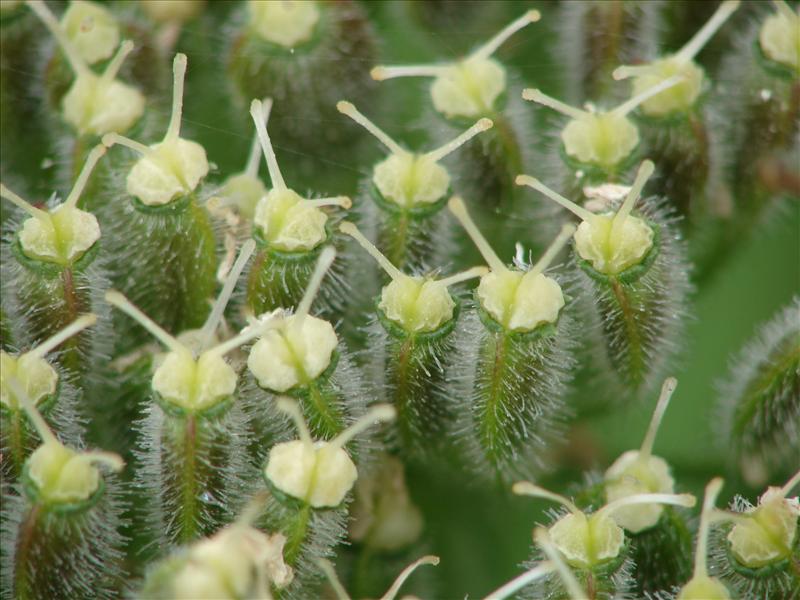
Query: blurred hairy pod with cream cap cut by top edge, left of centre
[[306, 56]]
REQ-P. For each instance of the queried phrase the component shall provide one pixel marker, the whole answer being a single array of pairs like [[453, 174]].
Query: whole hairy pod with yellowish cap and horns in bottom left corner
[[61, 523]]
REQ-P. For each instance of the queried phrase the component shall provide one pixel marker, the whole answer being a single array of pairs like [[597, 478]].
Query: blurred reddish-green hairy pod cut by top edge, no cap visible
[[596, 37]]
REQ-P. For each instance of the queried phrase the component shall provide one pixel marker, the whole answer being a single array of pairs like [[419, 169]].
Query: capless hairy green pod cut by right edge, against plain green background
[[759, 399]]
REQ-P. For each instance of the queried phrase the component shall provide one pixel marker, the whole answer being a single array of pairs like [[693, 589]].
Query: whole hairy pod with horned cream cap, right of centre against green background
[[635, 275]]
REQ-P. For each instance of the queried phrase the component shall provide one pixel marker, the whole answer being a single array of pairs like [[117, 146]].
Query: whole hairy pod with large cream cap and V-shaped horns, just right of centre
[[513, 362]]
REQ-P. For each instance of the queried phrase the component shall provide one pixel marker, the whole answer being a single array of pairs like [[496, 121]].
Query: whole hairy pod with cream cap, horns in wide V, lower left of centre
[[193, 439]]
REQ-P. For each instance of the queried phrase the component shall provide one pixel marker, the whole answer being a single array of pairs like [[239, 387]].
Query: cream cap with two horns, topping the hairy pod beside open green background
[[611, 242]]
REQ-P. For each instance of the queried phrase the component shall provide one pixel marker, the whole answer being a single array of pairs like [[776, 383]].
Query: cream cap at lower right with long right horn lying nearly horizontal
[[587, 541]]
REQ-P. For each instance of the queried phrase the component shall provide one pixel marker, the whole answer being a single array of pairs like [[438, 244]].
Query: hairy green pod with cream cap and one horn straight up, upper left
[[163, 223]]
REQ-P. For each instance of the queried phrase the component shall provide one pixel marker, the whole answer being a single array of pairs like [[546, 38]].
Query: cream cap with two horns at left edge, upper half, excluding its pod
[[64, 234]]
